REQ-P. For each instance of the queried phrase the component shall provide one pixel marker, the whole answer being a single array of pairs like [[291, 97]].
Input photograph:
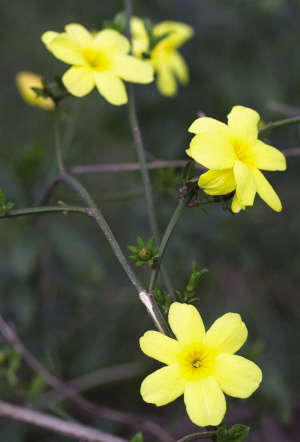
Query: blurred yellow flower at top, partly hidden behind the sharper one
[[166, 60]]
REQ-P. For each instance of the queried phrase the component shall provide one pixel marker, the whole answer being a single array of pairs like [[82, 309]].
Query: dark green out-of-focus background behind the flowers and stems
[[62, 287]]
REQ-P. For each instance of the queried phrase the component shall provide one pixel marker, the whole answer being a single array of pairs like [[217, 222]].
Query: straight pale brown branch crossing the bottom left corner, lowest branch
[[56, 425]]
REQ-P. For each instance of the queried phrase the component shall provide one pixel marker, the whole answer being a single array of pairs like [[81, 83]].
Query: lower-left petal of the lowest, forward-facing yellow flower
[[163, 386]]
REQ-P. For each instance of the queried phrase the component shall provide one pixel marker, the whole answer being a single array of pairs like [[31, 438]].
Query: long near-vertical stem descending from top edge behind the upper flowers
[[137, 136]]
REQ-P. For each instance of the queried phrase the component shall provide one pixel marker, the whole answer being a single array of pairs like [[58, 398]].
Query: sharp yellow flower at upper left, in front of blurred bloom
[[99, 59]]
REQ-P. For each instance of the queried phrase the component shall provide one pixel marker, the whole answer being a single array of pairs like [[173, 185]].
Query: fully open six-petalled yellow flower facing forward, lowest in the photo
[[199, 365]]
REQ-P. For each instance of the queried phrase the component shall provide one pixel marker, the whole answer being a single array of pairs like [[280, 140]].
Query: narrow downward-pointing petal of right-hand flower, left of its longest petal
[[245, 183]]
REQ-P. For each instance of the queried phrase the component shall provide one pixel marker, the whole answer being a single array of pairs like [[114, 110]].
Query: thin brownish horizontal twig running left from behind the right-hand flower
[[121, 167]]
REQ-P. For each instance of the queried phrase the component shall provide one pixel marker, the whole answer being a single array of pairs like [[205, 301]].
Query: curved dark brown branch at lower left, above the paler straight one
[[66, 391]]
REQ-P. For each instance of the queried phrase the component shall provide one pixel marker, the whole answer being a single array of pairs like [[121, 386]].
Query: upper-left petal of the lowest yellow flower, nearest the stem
[[160, 347]]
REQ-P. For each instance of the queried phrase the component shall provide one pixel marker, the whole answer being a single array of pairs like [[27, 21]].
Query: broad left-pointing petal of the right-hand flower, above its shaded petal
[[213, 151]]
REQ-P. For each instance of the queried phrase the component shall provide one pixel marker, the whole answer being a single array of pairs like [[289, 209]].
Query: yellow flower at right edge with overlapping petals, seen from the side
[[234, 156]]
